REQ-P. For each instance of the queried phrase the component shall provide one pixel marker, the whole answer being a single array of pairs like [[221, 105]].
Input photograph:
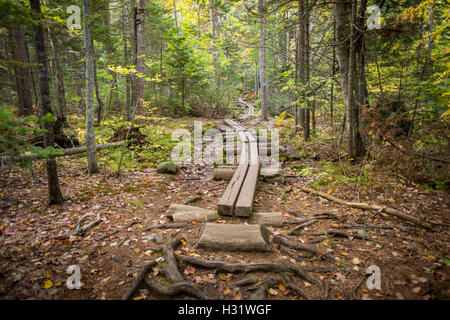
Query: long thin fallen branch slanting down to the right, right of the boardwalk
[[366, 206]]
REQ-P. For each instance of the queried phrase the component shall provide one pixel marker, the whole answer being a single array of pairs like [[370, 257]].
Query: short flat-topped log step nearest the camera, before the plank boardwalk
[[234, 237]]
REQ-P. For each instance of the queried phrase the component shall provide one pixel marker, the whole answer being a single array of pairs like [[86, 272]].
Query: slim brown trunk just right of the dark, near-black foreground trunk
[[59, 78]]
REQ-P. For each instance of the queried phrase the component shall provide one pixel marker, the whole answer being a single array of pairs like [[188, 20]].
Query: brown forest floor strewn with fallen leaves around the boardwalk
[[33, 265]]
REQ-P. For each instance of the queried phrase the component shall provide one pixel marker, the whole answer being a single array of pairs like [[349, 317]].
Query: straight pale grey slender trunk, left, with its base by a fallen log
[[90, 83]]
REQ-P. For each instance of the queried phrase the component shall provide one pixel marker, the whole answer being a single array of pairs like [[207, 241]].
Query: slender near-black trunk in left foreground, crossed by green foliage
[[54, 192]]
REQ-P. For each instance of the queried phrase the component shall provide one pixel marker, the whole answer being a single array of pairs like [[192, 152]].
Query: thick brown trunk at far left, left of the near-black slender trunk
[[21, 71]]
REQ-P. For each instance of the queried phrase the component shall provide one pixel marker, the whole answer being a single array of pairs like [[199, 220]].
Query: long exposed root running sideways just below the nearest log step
[[247, 268]]
